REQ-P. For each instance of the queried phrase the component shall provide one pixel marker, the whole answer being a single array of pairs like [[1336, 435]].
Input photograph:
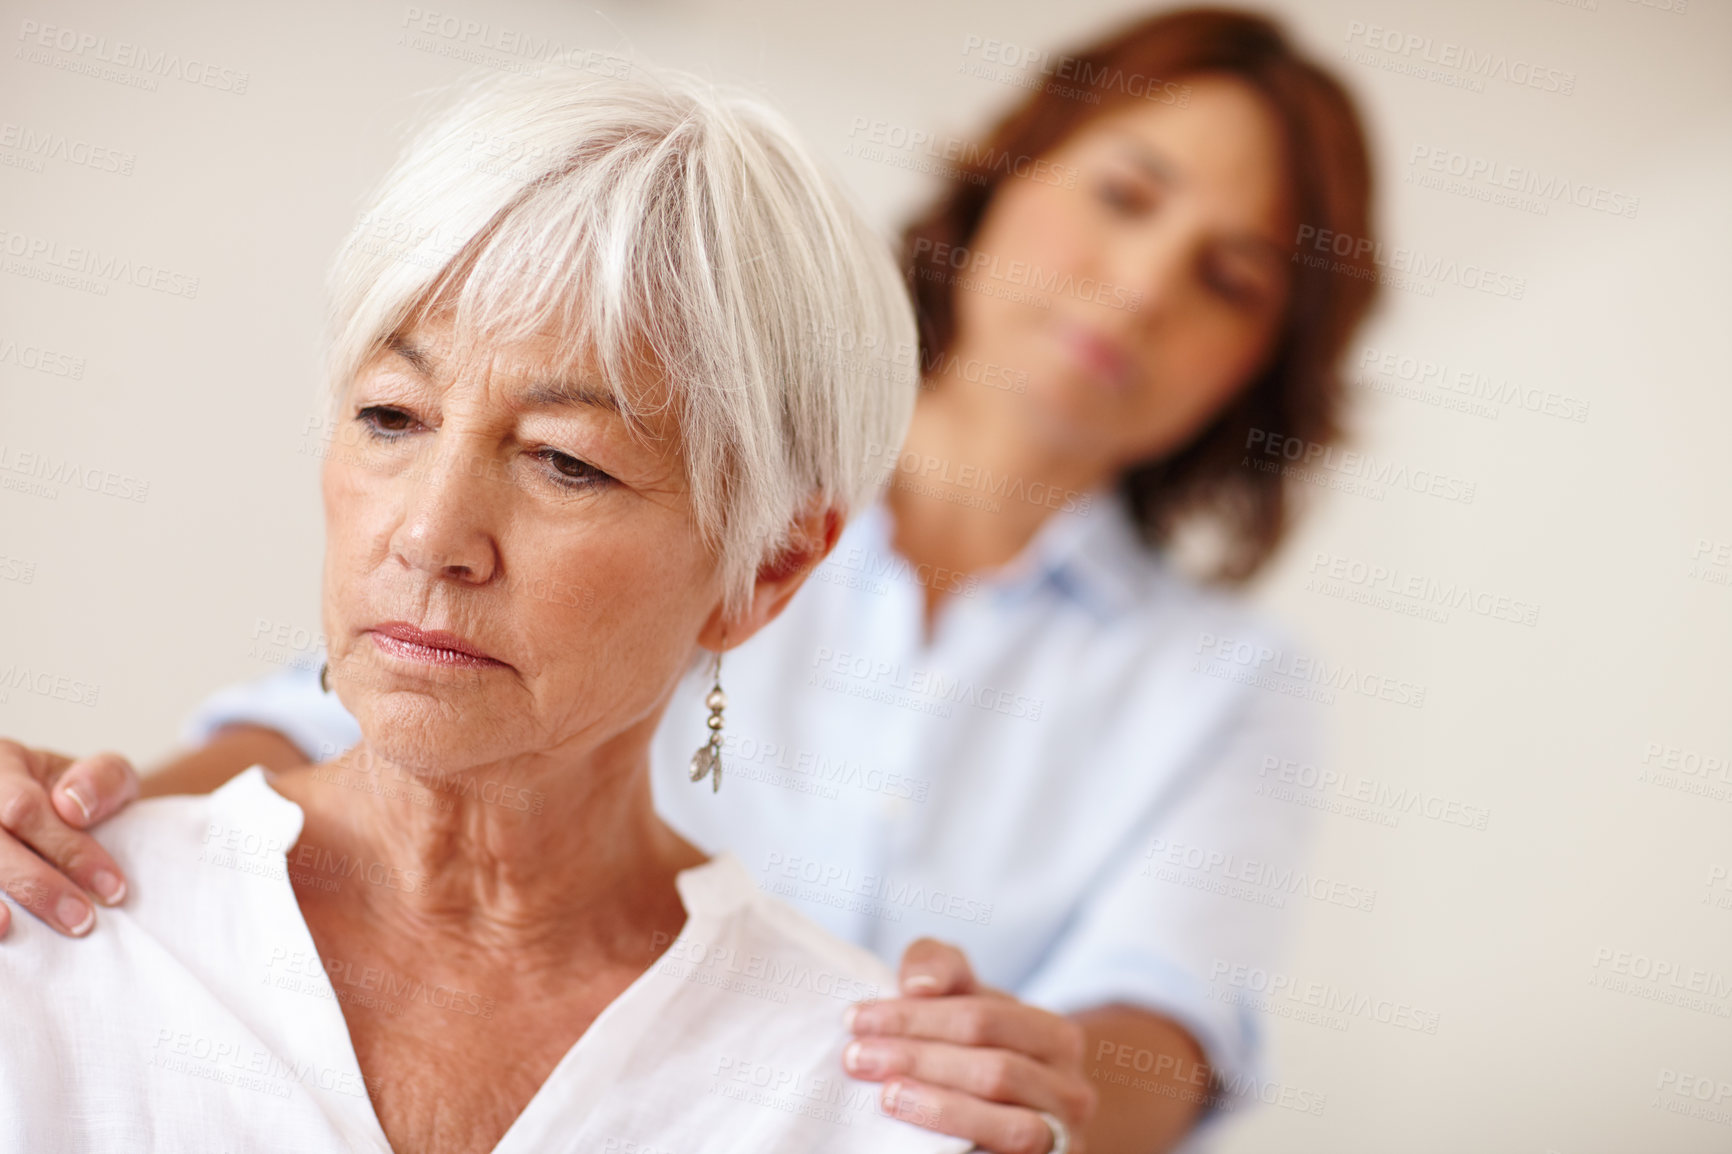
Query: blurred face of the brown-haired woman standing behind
[[1184, 212]]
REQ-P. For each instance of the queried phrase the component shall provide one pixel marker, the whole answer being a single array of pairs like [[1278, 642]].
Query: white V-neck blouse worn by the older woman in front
[[198, 1016]]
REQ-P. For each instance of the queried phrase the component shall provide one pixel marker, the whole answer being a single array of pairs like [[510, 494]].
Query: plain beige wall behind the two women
[[1572, 959]]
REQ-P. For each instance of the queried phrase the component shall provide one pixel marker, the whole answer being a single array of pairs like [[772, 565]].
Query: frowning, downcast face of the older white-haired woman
[[508, 569]]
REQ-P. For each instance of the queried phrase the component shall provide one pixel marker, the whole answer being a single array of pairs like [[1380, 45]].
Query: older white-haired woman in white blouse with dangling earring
[[597, 372]]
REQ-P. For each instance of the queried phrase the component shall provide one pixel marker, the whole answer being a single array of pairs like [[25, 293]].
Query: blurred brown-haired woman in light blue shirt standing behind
[[1000, 716]]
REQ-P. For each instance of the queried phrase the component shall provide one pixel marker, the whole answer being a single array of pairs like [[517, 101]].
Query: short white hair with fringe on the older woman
[[656, 216]]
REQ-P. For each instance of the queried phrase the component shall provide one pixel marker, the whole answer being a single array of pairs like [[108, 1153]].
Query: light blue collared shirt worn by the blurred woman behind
[[1064, 779]]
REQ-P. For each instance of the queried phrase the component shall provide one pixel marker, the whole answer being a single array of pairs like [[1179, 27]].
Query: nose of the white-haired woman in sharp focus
[[448, 524]]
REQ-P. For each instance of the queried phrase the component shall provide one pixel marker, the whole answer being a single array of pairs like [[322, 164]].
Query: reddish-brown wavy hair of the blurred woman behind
[[1300, 394]]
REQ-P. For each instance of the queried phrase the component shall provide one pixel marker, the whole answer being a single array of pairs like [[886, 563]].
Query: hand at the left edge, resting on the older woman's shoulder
[[48, 801]]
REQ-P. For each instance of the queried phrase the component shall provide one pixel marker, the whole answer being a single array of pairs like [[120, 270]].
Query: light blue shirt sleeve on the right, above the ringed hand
[[1201, 900]]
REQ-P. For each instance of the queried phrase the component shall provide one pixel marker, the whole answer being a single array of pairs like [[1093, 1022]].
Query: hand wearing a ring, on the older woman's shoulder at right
[[971, 1061]]
